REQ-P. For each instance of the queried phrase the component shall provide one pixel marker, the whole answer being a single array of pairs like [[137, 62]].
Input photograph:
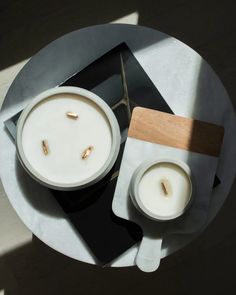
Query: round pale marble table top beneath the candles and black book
[[185, 80]]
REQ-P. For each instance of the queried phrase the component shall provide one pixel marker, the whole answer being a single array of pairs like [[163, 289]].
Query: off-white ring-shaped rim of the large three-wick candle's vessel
[[115, 136]]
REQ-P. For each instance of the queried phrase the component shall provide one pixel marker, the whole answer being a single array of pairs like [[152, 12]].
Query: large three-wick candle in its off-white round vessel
[[67, 138]]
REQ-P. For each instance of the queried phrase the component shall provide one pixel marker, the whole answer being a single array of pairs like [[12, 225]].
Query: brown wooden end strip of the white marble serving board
[[175, 131]]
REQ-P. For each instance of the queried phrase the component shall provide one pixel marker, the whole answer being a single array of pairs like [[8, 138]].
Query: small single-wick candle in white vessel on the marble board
[[162, 189]]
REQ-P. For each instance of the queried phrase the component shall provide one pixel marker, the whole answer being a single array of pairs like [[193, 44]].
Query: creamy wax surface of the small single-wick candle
[[152, 195]]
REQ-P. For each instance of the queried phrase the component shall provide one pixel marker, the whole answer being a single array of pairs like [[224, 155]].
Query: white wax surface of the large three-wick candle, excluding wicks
[[67, 138]]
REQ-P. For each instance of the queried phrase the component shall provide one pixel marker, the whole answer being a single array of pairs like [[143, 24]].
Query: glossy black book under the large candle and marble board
[[90, 209]]
